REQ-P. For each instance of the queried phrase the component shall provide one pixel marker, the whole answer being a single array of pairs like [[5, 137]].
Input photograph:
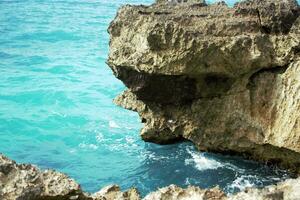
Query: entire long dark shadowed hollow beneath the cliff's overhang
[[174, 89]]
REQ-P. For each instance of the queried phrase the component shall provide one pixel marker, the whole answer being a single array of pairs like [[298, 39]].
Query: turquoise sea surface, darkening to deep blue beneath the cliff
[[56, 107]]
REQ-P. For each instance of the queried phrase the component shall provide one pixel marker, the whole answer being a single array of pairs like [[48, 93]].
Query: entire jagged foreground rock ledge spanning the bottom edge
[[27, 182]]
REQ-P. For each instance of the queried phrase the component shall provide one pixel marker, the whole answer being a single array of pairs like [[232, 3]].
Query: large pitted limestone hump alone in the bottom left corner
[[28, 182]]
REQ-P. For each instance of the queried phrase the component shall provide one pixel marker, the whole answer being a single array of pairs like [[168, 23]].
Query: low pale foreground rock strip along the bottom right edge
[[288, 190]]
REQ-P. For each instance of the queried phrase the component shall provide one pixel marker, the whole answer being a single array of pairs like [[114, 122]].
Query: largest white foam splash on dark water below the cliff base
[[201, 162]]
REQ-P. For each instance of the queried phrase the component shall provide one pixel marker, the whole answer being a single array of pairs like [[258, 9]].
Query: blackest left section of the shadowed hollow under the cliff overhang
[[162, 89]]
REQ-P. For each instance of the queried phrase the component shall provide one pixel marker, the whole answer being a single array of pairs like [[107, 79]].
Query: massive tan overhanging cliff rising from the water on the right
[[227, 79]]
